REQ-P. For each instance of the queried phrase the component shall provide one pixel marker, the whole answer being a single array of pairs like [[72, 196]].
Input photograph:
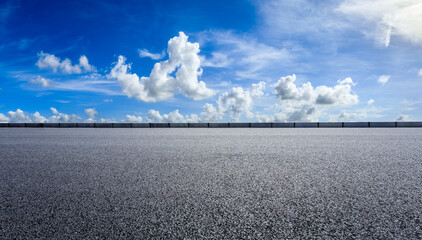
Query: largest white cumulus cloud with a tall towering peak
[[160, 85]]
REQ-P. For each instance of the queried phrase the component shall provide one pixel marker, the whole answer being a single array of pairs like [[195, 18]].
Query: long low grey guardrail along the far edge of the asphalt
[[220, 125]]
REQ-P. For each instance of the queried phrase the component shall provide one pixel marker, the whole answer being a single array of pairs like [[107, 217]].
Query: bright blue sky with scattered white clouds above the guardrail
[[210, 61]]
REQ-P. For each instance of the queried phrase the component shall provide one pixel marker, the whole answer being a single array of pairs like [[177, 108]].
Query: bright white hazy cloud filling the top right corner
[[387, 18]]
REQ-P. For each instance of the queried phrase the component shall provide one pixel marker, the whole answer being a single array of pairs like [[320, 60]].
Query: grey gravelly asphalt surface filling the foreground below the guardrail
[[210, 183]]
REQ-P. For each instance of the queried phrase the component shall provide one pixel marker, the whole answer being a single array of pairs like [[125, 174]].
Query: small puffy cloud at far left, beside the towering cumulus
[[49, 61]]
